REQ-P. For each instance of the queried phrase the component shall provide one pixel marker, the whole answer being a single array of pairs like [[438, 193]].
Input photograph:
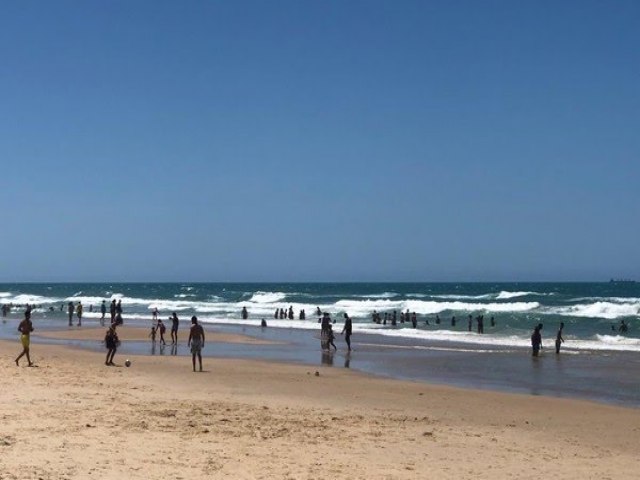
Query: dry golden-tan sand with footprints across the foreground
[[74, 418]]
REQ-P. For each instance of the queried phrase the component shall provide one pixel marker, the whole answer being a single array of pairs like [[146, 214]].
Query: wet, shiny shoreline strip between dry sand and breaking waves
[[606, 378]]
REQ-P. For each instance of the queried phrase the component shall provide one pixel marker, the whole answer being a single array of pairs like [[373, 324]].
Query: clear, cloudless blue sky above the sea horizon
[[319, 140]]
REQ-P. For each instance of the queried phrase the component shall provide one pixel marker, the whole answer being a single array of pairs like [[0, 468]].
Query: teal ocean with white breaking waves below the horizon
[[588, 310]]
